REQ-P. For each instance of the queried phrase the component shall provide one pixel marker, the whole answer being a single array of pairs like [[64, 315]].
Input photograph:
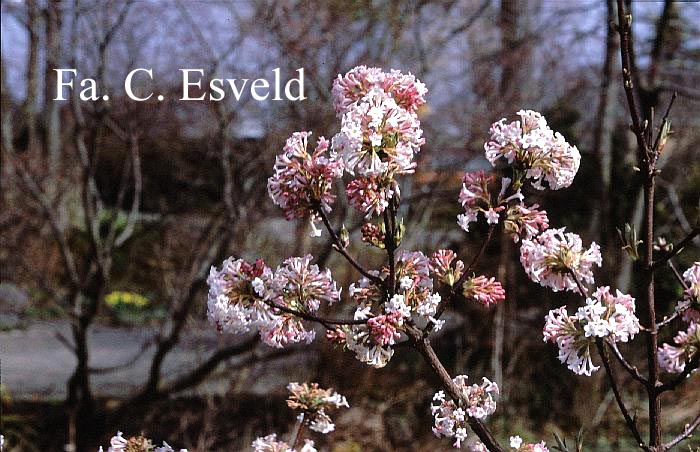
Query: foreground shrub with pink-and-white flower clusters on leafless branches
[[402, 301]]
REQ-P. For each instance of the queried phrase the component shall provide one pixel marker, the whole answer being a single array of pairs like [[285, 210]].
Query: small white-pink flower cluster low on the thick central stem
[[450, 416]]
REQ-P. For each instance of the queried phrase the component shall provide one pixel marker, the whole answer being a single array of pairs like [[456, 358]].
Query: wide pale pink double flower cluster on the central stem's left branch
[[245, 296]]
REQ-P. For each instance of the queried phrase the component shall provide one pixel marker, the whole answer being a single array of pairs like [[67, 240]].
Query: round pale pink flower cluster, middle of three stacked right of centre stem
[[551, 257]]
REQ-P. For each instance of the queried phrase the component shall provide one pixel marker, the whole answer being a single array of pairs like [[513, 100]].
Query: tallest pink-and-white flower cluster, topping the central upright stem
[[380, 132]]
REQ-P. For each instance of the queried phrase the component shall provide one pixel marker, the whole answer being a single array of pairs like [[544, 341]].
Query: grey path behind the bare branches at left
[[34, 362]]
